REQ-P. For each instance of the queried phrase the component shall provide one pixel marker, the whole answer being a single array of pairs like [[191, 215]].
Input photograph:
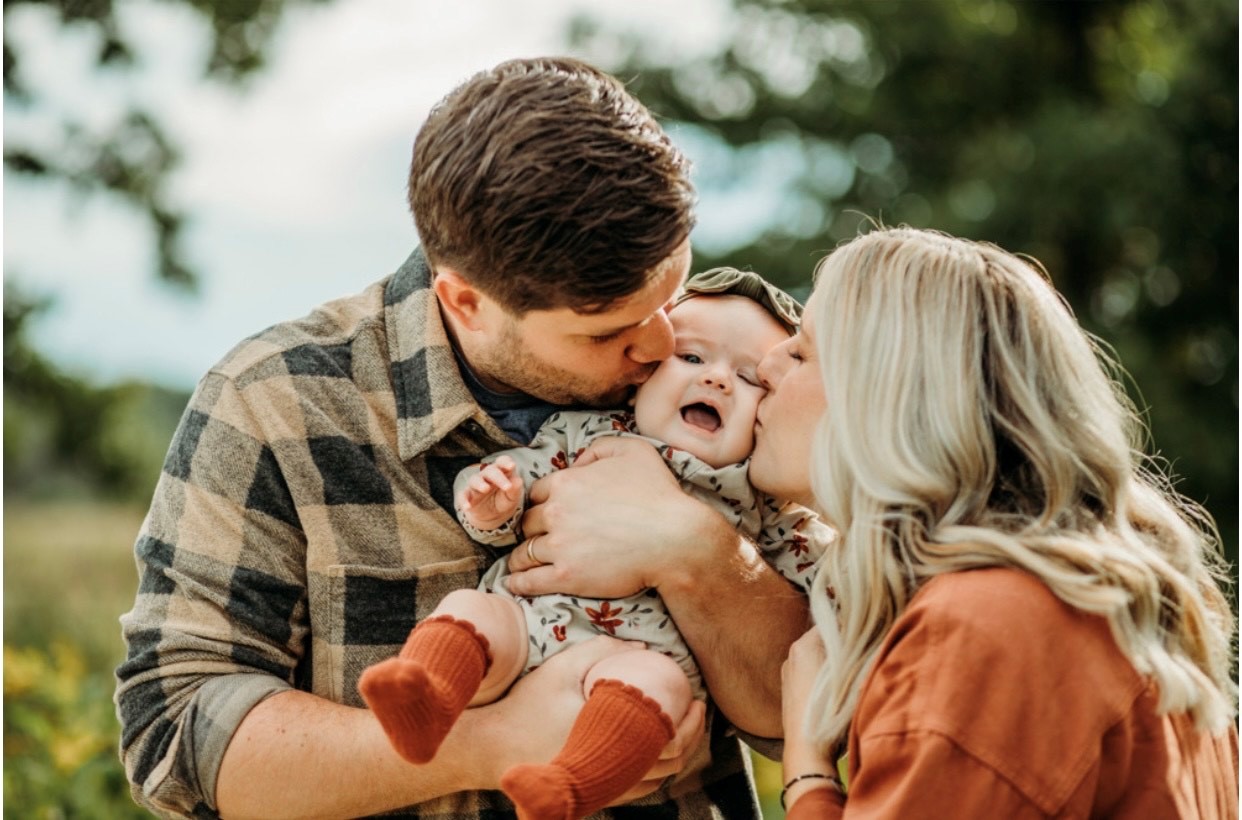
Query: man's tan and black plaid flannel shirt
[[302, 525]]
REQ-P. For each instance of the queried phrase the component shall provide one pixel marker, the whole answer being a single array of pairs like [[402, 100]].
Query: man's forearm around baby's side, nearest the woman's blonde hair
[[740, 618]]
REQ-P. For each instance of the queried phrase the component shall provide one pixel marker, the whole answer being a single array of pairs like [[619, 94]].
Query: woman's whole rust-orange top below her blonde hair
[[993, 699]]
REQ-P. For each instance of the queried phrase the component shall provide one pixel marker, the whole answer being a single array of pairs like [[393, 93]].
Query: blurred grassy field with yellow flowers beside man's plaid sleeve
[[69, 575]]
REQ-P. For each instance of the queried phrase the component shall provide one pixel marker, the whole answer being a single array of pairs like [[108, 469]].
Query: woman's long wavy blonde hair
[[973, 423]]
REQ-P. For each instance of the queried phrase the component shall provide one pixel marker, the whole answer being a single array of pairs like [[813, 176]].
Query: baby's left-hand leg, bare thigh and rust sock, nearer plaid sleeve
[[469, 652]]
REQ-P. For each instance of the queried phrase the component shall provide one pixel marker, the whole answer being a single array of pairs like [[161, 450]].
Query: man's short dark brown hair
[[547, 184]]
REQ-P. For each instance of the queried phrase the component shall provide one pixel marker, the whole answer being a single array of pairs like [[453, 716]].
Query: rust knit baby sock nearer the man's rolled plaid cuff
[[420, 694]]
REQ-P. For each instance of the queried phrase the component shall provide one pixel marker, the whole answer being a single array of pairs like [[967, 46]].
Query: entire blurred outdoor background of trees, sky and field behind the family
[[183, 173]]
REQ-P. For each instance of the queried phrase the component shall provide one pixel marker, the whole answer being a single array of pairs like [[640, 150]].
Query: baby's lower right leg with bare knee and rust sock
[[635, 700]]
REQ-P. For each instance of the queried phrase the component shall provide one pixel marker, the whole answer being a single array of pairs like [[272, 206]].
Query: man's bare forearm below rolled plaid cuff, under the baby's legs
[[300, 756]]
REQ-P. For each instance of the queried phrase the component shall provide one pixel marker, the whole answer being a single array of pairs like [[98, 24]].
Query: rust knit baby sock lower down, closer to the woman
[[617, 739]]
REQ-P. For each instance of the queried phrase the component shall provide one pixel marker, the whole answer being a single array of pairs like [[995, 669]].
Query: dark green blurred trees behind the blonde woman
[[1099, 137]]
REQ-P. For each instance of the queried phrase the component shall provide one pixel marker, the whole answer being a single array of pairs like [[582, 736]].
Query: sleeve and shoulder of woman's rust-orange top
[[981, 704]]
